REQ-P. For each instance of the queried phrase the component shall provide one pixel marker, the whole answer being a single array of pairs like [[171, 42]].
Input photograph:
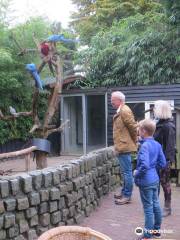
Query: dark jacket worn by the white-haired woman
[[165, 134]]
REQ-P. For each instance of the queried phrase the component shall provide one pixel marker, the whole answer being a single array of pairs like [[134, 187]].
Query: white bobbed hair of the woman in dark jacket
[[162, 109]]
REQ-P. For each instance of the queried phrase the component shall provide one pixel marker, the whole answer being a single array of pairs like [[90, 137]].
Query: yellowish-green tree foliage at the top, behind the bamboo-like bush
[[95, 16]]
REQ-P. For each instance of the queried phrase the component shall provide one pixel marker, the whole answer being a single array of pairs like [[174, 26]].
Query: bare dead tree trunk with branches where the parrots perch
[[44, 129]]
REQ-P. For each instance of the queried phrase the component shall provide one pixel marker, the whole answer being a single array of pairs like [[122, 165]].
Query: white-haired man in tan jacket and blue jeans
[[125, 137]]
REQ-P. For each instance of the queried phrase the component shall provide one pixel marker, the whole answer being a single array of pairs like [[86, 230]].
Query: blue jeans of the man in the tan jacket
[[126, 171]]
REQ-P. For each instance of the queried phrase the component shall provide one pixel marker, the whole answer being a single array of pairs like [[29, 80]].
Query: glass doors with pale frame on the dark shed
[[86, 130]]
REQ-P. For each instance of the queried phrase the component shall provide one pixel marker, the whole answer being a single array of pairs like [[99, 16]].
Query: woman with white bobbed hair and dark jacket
[[165, 134]]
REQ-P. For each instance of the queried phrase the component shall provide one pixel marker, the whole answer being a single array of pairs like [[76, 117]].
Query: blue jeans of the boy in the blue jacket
[[152, 210]]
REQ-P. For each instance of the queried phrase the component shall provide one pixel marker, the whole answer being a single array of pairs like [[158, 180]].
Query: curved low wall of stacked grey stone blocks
[[32, 203]]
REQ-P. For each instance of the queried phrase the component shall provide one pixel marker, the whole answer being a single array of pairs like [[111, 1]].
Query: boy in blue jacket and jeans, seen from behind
[[150, 159]]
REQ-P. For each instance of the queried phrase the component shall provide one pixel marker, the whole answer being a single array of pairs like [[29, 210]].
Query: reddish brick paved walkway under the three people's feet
[[120, 222]]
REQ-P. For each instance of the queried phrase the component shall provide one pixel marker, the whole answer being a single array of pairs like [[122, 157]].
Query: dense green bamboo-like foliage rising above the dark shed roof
[[141, 49]]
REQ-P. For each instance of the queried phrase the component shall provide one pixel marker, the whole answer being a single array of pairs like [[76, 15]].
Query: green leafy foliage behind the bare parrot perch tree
[[16, 85]]
